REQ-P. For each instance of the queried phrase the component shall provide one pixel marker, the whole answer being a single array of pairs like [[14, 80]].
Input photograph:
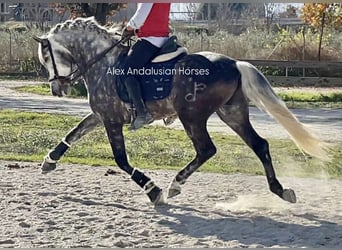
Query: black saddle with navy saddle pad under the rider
[[158, 84]]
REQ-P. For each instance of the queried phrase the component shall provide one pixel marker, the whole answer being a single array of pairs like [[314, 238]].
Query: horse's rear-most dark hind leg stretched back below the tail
[[236, 115]]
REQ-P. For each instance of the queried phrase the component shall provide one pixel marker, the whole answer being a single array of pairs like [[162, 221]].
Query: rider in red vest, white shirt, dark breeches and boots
[[150, 24]]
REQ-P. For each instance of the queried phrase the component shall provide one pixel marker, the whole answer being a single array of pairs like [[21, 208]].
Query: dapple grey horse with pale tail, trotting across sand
[[84, 46]]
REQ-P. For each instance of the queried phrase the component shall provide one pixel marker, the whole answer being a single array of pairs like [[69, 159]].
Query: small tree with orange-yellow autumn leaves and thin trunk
[[321, 15]]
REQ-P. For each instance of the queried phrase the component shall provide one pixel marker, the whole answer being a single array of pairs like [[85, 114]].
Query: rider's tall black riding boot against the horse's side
[[134, 92]]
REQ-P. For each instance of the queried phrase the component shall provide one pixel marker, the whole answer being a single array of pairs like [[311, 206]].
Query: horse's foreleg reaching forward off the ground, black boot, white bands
[[87, 124]]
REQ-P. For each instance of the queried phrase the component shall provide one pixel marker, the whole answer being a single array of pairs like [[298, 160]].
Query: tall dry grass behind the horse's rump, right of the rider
[[258, 44]]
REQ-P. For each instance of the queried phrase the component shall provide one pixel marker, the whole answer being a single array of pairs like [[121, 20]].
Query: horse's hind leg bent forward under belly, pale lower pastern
[[204, 147]]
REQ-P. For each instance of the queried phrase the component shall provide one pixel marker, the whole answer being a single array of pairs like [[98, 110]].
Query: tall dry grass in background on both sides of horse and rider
[[252, 44]]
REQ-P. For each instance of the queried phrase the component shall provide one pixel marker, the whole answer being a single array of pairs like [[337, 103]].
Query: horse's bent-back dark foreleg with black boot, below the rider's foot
[[116, 139]]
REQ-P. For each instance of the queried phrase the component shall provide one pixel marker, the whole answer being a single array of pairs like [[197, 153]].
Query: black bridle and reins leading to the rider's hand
[[79, 71]]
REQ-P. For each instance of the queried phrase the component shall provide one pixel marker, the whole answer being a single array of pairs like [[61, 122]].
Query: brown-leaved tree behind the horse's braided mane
[[99, 10]]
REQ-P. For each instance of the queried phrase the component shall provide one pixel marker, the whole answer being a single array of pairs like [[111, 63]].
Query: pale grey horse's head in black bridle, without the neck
[[59, 63]]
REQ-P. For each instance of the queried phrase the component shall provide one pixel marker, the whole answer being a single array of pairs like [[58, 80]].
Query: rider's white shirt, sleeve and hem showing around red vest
[[138, 19]]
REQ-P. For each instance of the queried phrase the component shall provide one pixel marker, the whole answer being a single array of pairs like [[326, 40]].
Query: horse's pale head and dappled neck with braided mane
[[71, 48]]
